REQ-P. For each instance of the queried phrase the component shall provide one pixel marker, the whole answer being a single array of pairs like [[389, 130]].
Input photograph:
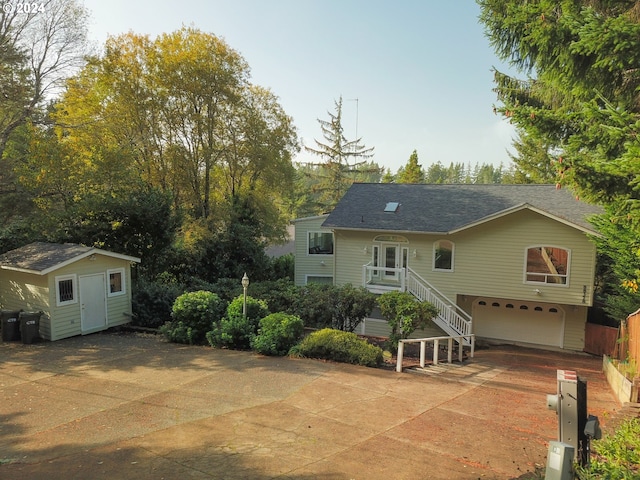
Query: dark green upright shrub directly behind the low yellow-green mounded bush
[[350, 306]]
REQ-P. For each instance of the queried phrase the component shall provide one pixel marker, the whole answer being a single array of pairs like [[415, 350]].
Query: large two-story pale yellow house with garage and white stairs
[[512, 263]]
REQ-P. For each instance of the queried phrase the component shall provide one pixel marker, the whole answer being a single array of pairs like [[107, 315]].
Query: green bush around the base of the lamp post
[[234, 330]]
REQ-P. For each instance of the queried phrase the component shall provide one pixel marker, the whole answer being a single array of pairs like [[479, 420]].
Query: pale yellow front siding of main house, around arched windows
[[489, 261]]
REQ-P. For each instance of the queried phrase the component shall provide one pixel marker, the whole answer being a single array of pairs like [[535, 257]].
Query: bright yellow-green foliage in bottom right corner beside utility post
[[615, 456]]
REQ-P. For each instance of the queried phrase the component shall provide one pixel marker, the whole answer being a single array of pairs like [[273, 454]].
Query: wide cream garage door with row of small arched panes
[[527, 322]]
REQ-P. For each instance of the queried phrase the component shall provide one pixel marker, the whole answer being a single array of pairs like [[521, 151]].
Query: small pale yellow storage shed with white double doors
[[79, 289]]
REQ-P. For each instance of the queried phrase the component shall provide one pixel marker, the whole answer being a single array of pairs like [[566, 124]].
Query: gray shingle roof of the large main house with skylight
[[447, 208]]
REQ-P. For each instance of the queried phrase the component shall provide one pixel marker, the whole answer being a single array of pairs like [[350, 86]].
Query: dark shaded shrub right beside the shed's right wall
[[152, 301]]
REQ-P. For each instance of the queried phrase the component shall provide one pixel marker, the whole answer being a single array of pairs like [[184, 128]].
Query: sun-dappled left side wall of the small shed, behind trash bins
[[23, 291]]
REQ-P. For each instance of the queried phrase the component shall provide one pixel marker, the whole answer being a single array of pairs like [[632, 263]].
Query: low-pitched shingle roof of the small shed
[[42, 258]]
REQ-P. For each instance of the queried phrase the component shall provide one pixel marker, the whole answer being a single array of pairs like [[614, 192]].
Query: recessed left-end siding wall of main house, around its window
[[306, 264]]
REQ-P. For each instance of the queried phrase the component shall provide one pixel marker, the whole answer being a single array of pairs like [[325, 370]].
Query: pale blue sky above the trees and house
[[419, 69]]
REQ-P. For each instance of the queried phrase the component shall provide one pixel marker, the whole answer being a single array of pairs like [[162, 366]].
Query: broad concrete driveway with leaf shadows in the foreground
[[131, 406]]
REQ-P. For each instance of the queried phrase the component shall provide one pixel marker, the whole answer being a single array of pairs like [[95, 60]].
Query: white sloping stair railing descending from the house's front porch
[[450, 318]]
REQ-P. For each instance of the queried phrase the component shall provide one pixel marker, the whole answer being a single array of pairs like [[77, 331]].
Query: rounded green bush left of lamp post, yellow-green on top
[[192, 316]]
